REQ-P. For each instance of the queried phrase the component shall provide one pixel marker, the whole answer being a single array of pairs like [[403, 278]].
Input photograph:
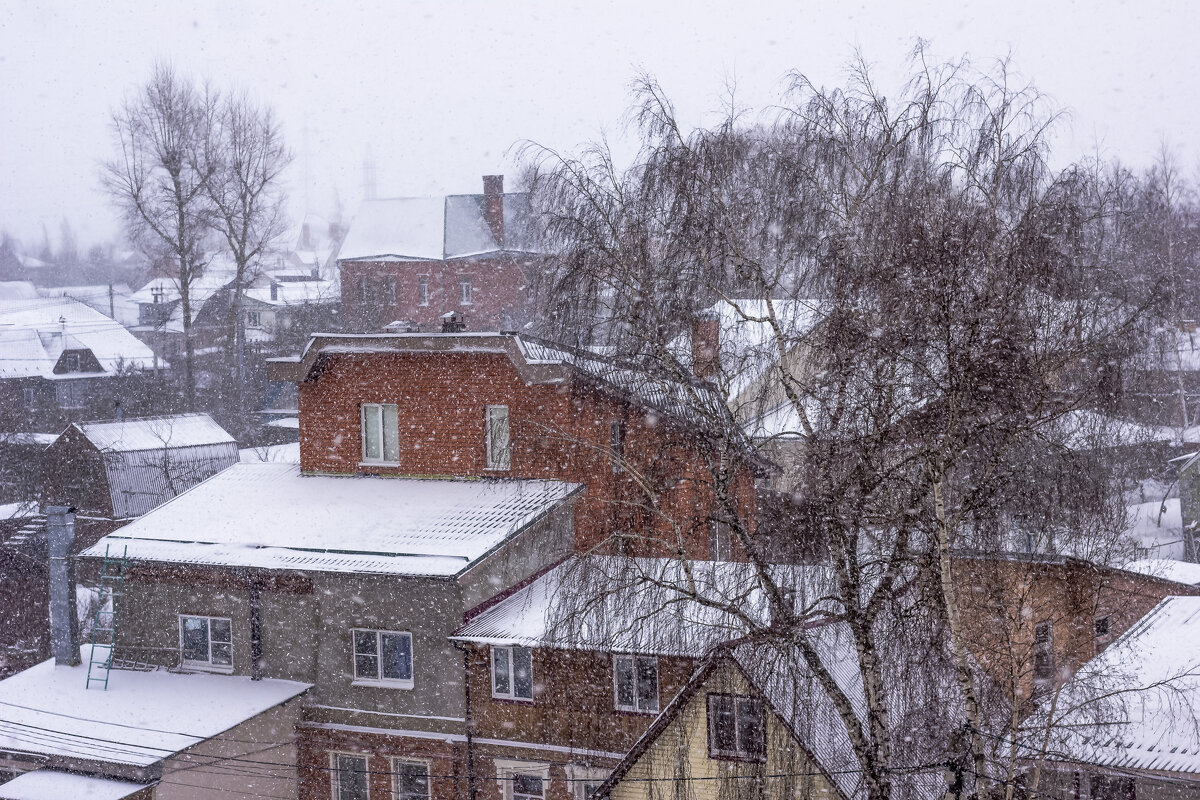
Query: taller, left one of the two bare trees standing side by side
[[159, 181]]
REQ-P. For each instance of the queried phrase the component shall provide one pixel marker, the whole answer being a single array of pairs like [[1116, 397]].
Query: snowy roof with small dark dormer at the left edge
[[35, 333]]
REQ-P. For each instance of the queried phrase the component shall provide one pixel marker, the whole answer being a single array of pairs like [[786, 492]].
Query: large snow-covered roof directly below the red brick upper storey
[[272, 516]]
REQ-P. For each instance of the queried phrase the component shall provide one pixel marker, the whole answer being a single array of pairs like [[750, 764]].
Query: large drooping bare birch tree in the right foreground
[[923, 297]]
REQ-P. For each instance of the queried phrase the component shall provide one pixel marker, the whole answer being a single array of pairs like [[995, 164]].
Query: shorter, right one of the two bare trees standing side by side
[[245, 159]]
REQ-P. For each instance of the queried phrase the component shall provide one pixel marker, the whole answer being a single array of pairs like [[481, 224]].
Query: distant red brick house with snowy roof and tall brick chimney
[[417, 260]]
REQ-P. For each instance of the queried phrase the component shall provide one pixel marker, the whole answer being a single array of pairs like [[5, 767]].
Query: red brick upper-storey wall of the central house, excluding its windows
[[559, 432]]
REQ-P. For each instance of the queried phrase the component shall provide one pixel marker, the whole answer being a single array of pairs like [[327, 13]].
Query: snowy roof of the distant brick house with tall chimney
[[434, 228]]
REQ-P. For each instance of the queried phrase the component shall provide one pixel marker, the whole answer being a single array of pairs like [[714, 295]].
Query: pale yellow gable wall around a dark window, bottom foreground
[[677, 766]]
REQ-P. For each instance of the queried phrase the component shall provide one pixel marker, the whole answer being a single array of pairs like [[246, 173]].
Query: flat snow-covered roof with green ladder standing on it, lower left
[[140, 720]]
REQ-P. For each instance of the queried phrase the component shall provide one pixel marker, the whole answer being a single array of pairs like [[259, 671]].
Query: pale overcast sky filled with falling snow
[[440, 92]]
